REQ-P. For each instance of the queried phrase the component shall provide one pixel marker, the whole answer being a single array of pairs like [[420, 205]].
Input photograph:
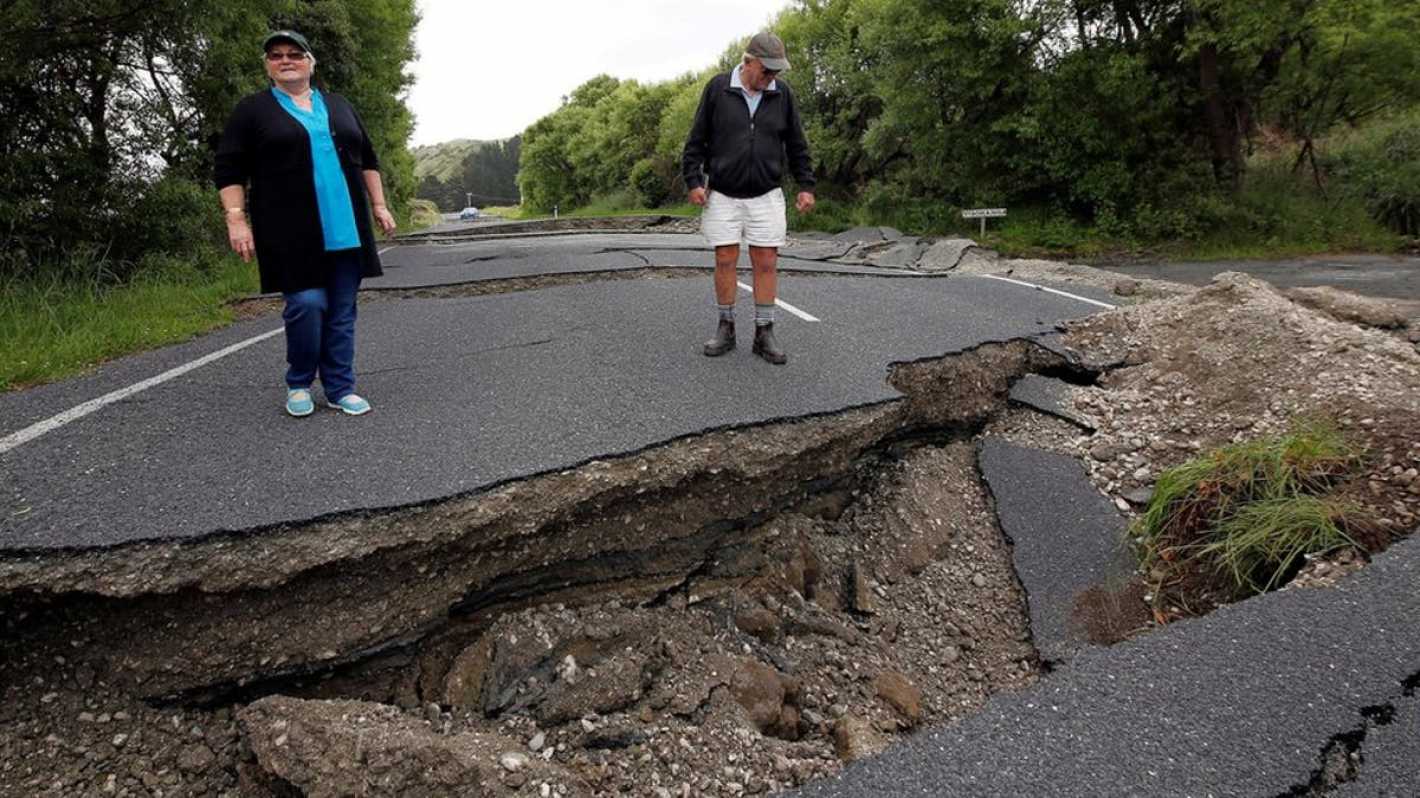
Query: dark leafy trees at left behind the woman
[[109, 111]]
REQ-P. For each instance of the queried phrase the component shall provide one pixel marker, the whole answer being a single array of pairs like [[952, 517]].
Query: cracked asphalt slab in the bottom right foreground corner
[[1242, 702]]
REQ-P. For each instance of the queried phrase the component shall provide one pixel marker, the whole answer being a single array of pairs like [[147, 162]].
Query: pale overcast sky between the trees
[[488, 70]]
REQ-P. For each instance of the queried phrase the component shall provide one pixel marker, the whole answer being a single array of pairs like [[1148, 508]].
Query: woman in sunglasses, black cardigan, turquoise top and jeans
[[310, 165]]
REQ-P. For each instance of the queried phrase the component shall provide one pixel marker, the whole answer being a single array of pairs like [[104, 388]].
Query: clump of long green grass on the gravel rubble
[[1250, 512]]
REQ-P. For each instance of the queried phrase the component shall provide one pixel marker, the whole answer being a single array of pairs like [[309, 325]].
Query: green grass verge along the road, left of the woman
[[52, 329]]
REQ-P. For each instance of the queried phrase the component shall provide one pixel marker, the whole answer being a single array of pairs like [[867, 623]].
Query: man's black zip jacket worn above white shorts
[[745, 157]]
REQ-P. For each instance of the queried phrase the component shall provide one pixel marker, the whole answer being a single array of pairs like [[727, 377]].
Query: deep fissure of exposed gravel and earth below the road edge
[[779, 598]]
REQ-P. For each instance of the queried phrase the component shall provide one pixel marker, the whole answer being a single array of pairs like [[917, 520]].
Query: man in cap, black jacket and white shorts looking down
[[746, 124]]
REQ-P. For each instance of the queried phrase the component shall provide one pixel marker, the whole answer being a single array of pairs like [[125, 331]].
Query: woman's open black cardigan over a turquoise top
[[265, 148]]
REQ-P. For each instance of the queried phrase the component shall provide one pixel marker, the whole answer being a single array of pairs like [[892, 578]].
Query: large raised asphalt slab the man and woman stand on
[[469, 393]]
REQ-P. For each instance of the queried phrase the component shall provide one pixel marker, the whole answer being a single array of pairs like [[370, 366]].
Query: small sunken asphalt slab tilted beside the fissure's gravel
[[1067, 537]]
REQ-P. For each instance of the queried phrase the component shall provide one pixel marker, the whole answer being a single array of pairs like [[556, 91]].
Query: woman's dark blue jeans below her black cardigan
[[320, 330]]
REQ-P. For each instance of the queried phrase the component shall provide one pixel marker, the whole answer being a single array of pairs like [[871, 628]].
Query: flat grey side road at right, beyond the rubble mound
[[1391, 278]]
